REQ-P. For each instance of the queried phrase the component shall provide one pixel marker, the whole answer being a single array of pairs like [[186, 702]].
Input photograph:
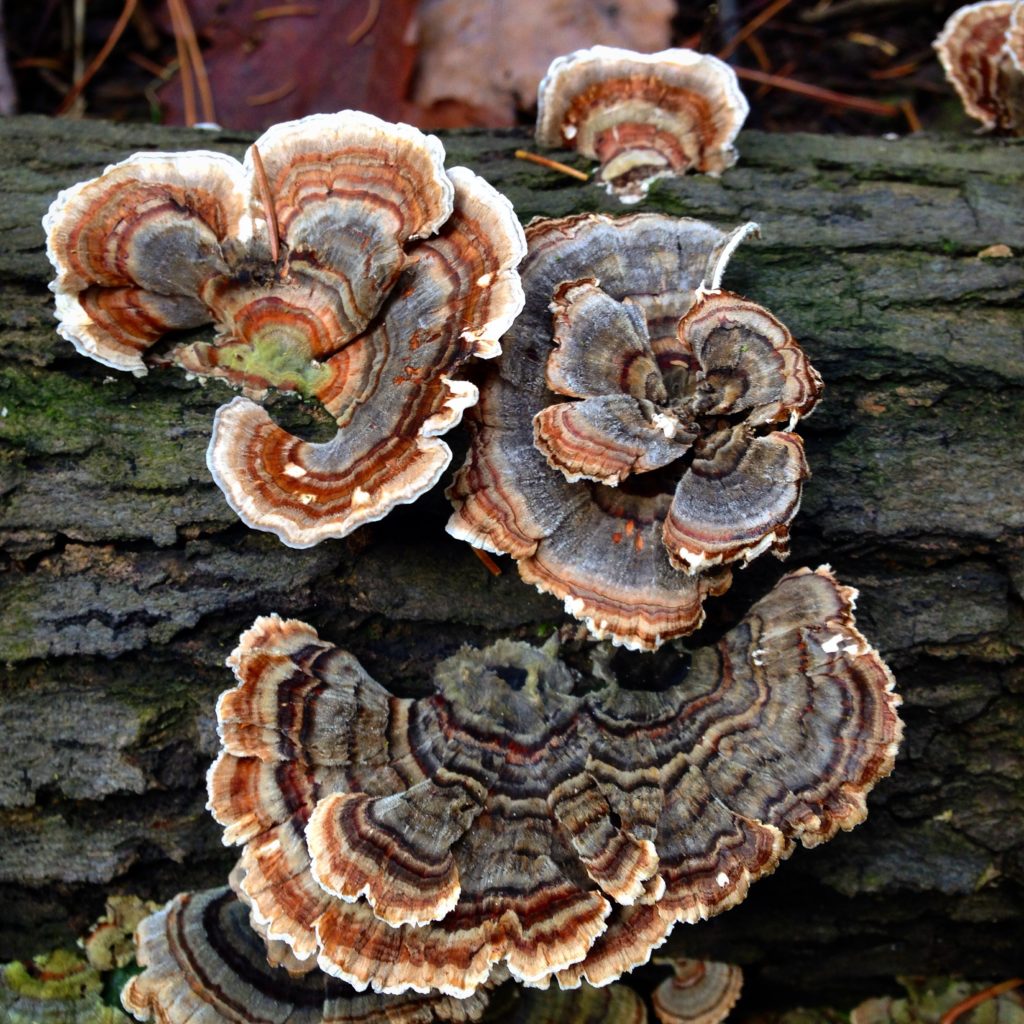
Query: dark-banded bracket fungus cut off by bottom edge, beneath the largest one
[[204, 965]]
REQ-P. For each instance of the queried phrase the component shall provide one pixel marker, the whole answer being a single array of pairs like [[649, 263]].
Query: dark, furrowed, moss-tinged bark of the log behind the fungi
[[129, 579]]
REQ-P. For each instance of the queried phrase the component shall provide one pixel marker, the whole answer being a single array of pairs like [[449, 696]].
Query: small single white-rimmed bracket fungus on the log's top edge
[[644, 116]]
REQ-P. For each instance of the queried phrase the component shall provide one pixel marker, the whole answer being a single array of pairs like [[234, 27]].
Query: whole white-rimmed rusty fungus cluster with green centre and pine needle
[[339, 262]]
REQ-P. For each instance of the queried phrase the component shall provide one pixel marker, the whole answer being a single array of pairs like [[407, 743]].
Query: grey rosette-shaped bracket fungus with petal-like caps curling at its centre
[[625, 453]]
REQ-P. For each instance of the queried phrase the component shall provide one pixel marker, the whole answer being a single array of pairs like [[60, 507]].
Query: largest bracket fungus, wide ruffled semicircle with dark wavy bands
[[517, 817]]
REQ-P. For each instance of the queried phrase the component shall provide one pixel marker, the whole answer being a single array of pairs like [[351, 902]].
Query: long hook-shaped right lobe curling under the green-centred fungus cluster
[[393, 391]]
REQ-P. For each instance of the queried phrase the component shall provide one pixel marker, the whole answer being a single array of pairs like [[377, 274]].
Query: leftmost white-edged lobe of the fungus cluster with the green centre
[[135, 248]]
